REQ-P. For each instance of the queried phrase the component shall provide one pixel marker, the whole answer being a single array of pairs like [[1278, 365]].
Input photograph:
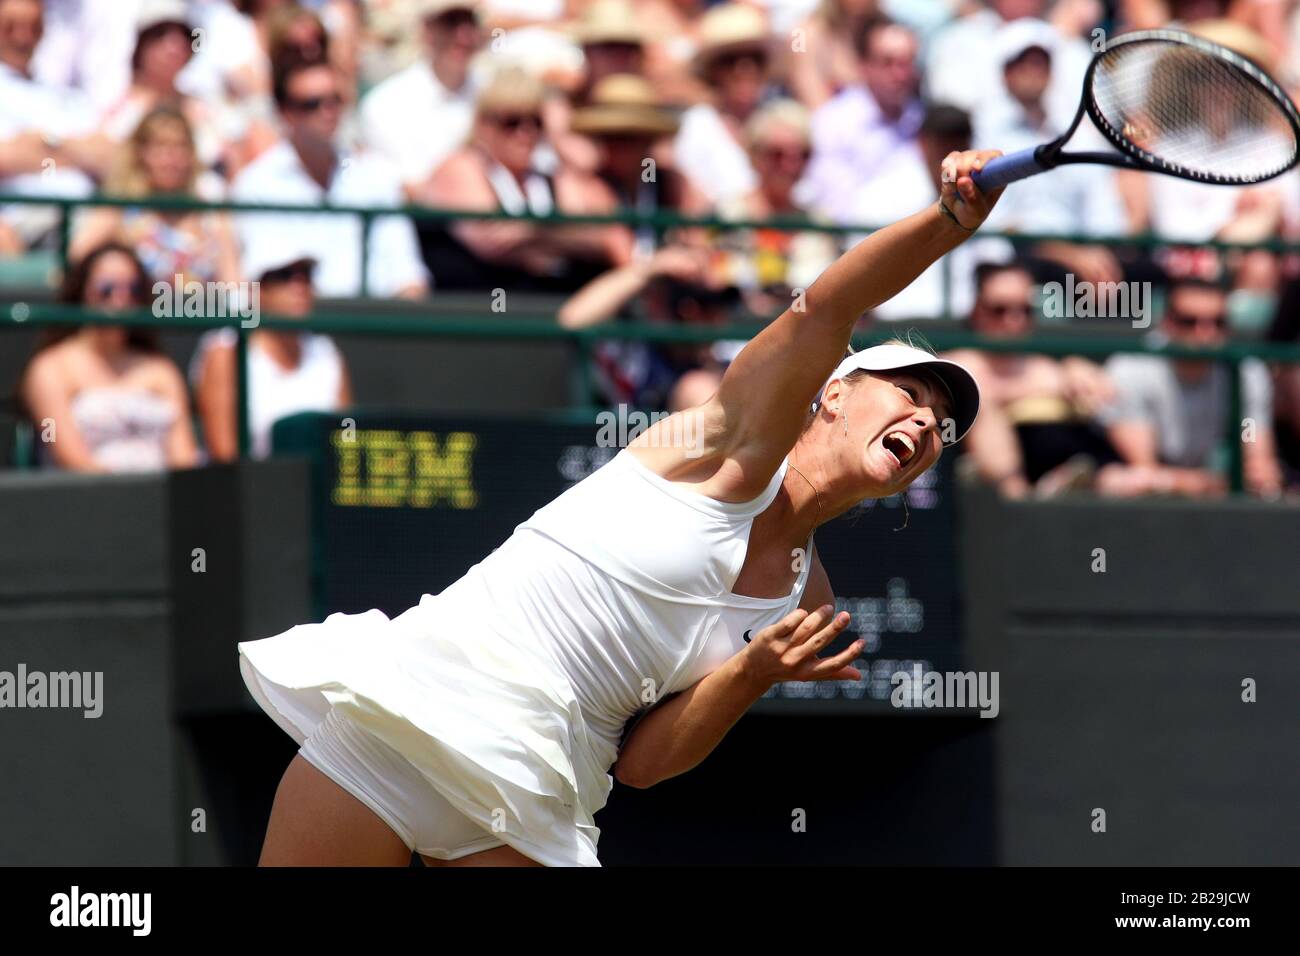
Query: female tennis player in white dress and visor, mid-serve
[[679, 582]]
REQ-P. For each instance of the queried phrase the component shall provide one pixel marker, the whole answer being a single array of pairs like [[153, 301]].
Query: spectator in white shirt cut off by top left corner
[[49, 145]]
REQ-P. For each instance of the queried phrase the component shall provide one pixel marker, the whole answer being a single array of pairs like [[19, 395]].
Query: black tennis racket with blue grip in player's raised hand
[[1173, 103]]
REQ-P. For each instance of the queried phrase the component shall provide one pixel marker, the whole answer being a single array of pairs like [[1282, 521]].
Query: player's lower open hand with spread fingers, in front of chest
[[788, 650]]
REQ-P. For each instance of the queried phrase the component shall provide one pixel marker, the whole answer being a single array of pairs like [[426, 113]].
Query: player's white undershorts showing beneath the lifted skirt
[[388, 784]]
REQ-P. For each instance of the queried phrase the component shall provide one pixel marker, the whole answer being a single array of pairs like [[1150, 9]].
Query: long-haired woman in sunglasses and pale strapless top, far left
[[105, 399]]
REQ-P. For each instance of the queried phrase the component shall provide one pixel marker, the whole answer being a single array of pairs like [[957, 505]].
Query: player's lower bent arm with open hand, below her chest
[[682, 732]]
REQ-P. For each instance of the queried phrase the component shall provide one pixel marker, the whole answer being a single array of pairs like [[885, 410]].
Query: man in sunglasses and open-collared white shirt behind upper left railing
[[309, 168]]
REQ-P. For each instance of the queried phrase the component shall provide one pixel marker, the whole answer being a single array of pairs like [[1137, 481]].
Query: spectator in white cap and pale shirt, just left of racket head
[[1076, 200]]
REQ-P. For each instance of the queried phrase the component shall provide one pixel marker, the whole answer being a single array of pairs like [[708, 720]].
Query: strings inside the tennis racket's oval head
[[1193, 110]]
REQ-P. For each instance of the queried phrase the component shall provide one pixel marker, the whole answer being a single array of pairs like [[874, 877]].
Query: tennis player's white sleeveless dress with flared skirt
[[508, 694]]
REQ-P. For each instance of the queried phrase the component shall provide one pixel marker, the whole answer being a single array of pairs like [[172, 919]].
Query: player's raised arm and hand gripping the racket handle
[[765, 396]]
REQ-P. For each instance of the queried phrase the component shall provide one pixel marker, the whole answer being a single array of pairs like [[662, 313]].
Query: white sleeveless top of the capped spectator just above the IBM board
[[276, 392]]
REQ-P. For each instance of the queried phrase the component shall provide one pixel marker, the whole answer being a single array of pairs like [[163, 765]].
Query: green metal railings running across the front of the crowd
[[462, 327]]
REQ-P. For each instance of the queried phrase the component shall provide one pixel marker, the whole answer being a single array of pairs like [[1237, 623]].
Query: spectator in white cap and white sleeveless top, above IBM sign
[[288, 373]]
